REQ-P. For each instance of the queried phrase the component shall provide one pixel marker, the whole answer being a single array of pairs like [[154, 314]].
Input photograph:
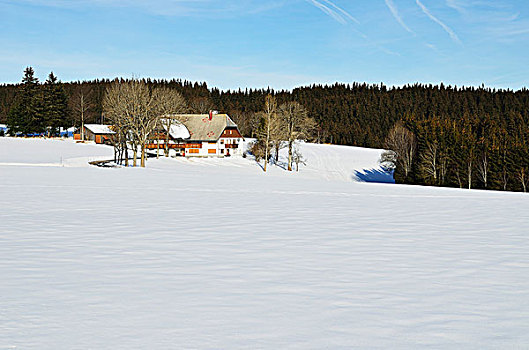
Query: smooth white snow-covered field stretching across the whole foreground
[[215, 254]]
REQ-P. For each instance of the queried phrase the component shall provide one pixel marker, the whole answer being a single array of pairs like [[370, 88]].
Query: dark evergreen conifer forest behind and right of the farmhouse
[[466, 137]]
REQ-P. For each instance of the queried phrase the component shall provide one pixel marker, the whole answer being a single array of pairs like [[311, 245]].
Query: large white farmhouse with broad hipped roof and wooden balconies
[[200, 135]]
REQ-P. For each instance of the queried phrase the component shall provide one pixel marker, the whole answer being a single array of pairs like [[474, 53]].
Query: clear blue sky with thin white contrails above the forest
[[276, 43]]
